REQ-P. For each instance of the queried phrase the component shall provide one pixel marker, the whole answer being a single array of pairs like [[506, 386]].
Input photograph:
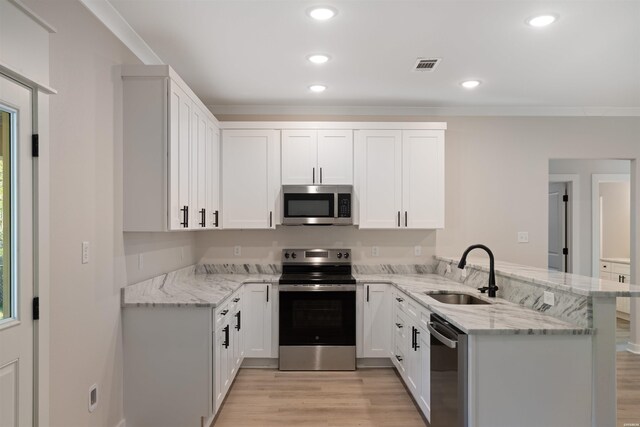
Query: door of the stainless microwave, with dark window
[[309, 208]]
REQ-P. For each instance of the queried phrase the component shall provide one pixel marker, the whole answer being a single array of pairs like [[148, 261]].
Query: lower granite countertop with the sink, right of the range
[[500, 318]]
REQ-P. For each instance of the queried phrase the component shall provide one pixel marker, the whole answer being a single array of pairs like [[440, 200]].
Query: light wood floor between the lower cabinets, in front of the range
[[366, 397]]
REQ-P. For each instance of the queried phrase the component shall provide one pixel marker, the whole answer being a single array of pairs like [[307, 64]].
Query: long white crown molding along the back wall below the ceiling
[[342, 110]]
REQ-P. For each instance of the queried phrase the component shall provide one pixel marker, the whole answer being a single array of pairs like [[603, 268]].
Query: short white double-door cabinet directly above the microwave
[[317, 157]]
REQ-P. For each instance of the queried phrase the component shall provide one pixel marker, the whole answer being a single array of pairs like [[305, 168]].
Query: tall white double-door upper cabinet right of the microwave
[[400, 178]]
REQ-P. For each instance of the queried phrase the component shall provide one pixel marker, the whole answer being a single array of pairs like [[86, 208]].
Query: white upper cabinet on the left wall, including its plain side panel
[[170, 155]]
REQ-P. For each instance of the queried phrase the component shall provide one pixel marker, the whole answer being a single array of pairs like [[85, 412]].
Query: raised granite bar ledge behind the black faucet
[[572, 283]]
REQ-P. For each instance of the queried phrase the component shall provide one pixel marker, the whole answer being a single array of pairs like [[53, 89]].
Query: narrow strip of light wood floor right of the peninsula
[[628, 366]]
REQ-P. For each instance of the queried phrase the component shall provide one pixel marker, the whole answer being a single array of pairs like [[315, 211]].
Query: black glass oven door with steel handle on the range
[[317, 315]]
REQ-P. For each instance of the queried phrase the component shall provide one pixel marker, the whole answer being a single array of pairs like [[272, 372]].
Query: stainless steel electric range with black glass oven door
[[317, 310]]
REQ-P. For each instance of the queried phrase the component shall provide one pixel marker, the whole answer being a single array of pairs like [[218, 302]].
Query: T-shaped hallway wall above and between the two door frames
[[584, 168]]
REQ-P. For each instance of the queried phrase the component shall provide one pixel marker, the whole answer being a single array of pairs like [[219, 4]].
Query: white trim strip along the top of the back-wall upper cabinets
[[335, 125]]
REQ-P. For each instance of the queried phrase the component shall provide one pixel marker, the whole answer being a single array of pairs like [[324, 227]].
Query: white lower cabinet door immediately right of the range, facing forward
[[377, 320]]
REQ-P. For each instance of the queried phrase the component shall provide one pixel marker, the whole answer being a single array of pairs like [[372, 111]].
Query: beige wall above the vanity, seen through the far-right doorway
[[616, 219]]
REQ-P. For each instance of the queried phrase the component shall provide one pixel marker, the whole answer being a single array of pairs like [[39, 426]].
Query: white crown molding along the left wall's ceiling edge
[[111, 18]]
